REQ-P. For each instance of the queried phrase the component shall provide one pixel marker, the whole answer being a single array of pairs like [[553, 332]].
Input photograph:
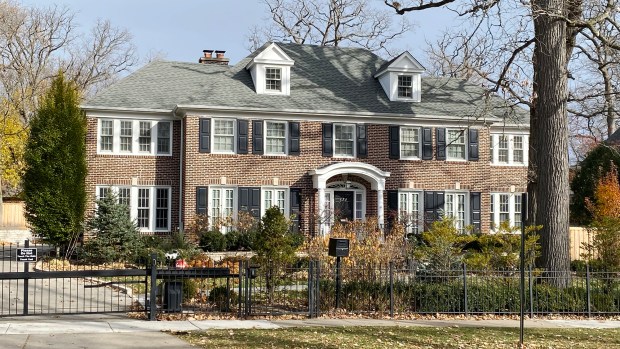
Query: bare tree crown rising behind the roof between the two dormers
[[330, 23]]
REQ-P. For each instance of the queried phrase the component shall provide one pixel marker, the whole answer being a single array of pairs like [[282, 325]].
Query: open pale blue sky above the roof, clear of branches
[[179, 30]]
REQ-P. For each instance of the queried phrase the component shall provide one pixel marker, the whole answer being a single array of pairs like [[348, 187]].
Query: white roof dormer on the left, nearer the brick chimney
[[271, 71]]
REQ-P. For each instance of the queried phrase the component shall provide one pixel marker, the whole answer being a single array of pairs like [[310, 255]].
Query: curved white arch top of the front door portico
[[372, 174]]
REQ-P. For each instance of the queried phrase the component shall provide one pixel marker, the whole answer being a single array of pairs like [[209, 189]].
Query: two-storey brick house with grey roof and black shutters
[[325, 133]]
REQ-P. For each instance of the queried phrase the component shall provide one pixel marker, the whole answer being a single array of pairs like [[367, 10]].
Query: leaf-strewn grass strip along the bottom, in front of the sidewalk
[[403, 337]]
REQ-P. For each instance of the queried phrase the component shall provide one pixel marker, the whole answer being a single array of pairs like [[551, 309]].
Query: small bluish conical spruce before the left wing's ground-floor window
[[116, 236]]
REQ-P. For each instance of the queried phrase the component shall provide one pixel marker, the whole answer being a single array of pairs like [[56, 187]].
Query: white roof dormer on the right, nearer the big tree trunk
[[401, 78]]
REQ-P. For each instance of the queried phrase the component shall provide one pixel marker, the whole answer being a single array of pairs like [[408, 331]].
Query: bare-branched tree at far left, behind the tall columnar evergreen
[[35, 44]]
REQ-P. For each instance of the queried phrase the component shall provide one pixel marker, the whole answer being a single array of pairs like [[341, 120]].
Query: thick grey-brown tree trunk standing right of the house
[[552, 194]]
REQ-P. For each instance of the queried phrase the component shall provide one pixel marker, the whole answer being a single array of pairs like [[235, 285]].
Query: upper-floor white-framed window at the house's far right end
[[509, 149]]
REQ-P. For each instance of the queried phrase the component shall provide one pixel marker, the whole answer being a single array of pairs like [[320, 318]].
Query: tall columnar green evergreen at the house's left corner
[[55, 157]]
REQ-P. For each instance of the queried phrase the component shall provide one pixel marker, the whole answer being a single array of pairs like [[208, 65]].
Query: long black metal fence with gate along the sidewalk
[[242, 289]]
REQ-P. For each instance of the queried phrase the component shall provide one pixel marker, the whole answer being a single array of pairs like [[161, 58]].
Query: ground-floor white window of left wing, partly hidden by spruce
[[149, 207]]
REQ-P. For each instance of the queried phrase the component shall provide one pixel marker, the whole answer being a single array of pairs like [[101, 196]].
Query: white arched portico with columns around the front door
[[348, 197]]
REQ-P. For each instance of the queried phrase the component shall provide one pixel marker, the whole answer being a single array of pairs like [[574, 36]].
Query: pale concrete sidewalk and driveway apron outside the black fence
[[94, 331]]
